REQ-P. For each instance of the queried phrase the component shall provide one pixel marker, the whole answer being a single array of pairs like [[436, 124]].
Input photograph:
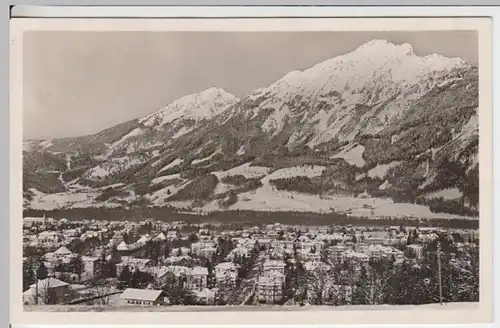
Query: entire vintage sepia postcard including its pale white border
[[251, 171]]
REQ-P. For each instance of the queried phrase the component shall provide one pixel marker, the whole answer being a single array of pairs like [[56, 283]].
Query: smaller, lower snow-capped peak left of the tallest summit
[[198, 106]]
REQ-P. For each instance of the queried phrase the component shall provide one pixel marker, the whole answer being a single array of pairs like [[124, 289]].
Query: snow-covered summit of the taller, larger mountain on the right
[[373, 62]]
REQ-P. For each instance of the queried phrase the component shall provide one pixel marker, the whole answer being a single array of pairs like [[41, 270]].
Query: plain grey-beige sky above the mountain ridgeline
[[78, 83]]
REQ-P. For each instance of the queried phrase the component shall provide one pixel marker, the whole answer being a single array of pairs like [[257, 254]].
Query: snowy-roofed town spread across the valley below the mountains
[[157, 263]]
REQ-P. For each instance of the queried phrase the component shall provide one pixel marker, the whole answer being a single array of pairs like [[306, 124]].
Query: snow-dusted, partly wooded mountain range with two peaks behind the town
[[377, 122]]
